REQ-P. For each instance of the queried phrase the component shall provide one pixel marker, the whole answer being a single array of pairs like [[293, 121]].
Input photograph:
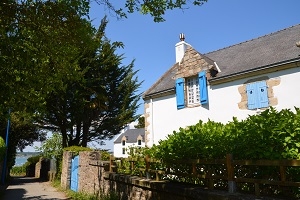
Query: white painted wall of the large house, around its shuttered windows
[[223, 105]]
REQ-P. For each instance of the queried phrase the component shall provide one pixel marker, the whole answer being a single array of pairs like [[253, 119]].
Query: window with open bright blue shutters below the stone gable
[[191, 91]]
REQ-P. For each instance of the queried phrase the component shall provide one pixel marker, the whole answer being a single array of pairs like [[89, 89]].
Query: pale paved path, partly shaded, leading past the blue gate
[[31, 189]]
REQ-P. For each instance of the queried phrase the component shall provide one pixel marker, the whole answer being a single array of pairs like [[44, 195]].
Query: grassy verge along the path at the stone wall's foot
[[83, 196]]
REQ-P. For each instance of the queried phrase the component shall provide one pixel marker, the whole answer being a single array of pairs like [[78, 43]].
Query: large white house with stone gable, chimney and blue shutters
[[238, 80]]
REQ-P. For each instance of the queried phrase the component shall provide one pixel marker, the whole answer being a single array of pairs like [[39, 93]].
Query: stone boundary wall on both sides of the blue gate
[[95, 179]]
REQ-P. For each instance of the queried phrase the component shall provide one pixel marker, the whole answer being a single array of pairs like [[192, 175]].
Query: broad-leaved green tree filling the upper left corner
[[39, 41]]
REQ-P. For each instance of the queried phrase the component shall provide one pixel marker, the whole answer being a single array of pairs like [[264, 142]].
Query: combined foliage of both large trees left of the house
[[57, 66]]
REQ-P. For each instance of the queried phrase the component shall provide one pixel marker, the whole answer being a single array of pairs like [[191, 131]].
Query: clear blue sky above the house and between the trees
[[212, 26]]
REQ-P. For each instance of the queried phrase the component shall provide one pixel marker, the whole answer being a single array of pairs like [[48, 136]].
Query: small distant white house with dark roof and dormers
[[129, 138]]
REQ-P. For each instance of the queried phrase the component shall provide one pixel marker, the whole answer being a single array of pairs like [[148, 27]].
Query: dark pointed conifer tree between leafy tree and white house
[[100, 104]]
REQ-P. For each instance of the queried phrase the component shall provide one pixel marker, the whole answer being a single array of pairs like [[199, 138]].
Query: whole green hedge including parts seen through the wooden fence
[[269, 135]]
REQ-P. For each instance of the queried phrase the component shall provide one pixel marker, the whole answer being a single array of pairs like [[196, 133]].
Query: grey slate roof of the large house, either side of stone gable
[[254, 54]]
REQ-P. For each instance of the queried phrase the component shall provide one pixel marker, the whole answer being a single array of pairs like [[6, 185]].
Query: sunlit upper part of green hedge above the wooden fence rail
[[269, 135]]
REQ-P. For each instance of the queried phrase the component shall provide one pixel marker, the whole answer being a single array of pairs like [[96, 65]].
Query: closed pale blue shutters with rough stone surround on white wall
[[257, 94]]
